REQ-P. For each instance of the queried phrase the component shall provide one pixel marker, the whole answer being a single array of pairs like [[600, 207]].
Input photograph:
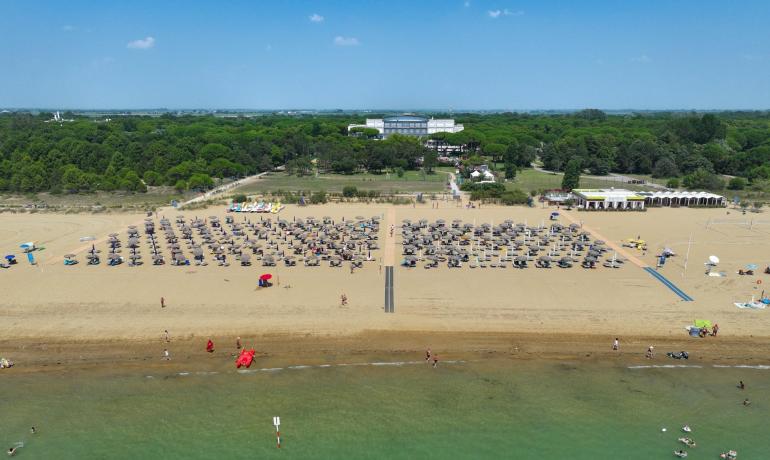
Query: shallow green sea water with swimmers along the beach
[[485, 409]]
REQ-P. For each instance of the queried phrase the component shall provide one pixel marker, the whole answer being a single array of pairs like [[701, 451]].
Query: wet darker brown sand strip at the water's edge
[[282, 350]]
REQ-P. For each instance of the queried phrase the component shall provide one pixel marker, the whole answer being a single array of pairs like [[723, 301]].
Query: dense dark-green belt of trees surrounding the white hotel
[[192, 152]]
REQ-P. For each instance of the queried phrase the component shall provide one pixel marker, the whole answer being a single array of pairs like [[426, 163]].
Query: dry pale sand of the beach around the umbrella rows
[[95, 303]]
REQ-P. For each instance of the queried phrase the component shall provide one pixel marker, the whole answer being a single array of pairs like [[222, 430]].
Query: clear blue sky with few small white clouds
[[396, 54]]
